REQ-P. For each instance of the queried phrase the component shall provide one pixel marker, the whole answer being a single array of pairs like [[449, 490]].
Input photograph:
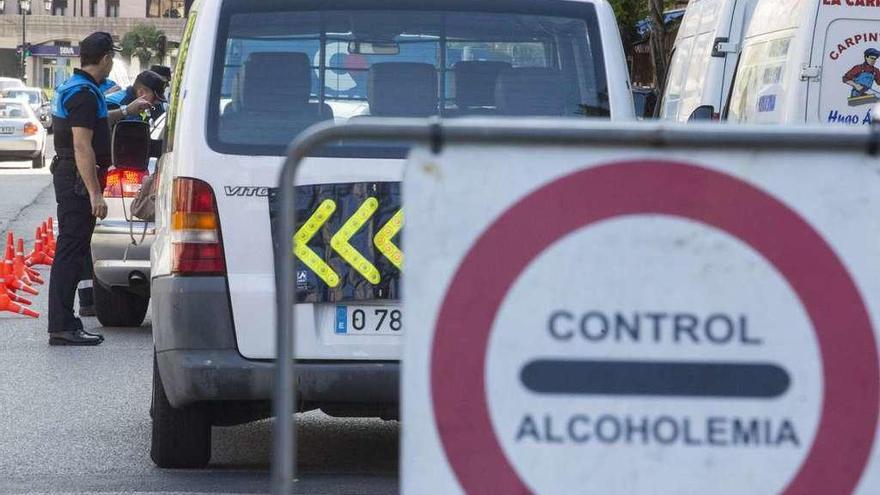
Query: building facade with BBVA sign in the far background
[[53, 34]]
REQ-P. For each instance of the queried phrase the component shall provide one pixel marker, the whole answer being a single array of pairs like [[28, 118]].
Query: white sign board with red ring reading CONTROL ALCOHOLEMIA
[[604, 320]]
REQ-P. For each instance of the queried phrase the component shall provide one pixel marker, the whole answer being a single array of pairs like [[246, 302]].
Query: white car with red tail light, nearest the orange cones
[[22, 136]]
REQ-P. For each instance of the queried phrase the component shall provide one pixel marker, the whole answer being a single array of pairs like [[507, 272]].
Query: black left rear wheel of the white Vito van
[[181, 436]]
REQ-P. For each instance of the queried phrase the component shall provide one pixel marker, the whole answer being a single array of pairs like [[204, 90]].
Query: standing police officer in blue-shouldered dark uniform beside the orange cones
[[82, 144]]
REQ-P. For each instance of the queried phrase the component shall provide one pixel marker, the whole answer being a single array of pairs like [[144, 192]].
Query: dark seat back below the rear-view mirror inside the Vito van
[[403, 89]]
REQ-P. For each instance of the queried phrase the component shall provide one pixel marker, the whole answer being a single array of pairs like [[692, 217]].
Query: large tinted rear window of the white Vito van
[[280, 71]]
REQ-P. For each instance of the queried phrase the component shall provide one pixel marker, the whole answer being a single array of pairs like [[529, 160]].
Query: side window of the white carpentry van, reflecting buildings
[[759, 90]]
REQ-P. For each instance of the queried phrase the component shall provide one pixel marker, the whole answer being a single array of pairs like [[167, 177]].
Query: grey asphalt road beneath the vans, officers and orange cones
[[76, 420]]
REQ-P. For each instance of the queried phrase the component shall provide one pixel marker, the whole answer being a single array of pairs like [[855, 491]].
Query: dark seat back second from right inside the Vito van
[[475, 86]]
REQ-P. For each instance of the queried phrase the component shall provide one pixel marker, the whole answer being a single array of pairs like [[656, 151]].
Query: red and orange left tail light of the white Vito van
[[195, 230]]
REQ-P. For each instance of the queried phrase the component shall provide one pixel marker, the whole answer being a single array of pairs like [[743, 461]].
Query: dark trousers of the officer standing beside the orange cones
[[72, 252]]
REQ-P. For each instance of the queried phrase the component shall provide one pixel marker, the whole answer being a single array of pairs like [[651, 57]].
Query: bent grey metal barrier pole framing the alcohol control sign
[[487, 131]]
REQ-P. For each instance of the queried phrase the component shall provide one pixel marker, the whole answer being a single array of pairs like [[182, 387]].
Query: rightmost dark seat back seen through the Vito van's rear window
[[534, 91]]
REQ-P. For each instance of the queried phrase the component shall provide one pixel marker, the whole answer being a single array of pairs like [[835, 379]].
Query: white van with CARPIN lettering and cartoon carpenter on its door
[[810, 61]]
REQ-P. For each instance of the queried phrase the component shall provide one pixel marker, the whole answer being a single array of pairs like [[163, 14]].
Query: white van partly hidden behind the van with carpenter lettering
[[704, 57]]
